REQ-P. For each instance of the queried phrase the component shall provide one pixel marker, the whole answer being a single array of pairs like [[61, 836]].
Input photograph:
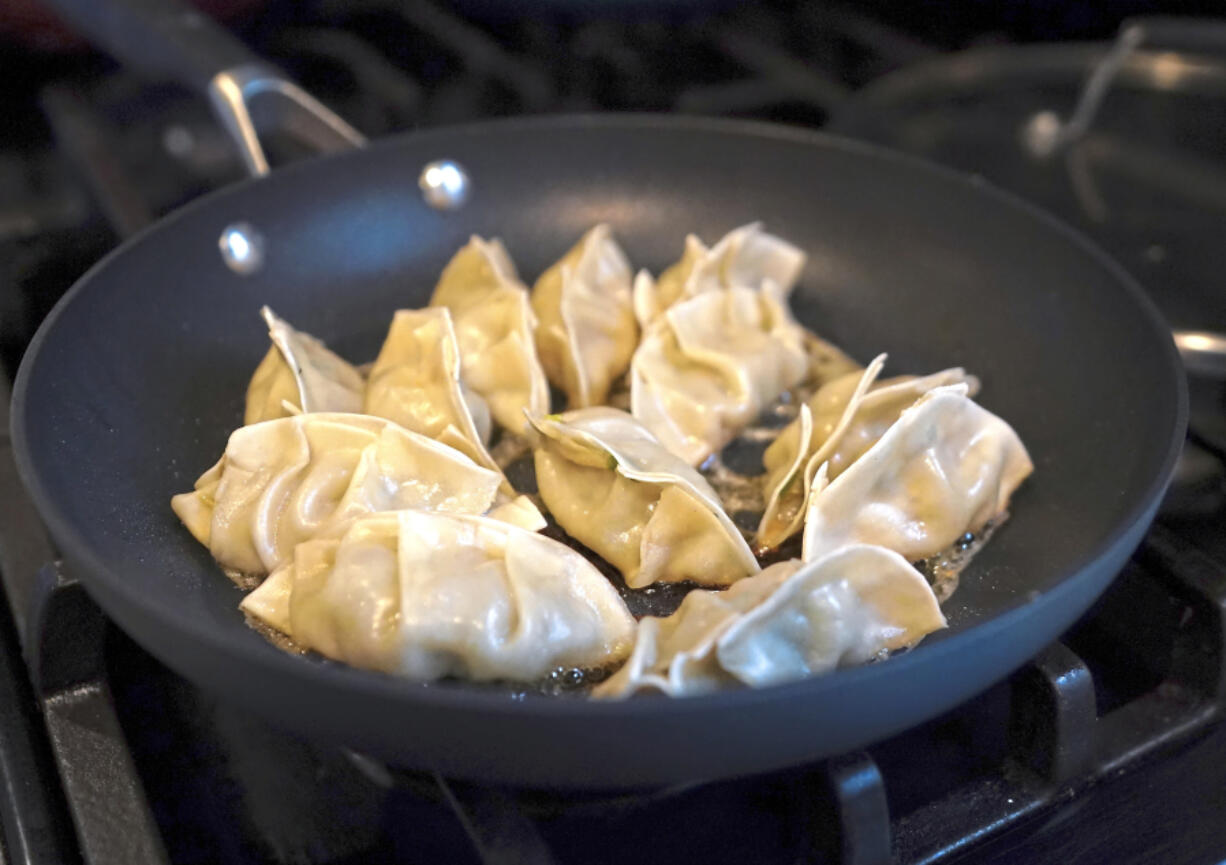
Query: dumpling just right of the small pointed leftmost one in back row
[[416, 382]]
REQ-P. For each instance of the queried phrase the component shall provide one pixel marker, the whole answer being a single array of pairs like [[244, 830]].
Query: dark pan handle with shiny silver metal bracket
[[169, 40]]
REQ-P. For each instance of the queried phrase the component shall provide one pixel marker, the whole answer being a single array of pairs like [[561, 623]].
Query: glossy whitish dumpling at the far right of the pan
[[945, 469]]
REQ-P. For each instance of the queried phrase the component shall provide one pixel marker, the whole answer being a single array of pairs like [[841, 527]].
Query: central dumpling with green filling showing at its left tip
[[616, 489]]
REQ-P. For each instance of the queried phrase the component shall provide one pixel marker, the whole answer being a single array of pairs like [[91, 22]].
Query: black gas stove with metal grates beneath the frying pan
[[1106, 747]]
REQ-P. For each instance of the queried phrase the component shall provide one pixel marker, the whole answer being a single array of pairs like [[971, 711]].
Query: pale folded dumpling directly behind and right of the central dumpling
[[712, 365]]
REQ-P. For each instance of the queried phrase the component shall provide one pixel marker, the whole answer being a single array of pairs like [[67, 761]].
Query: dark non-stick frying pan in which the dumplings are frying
[[134, 382]]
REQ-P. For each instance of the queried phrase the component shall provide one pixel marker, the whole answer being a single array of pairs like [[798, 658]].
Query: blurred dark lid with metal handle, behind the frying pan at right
[[1140, 167]]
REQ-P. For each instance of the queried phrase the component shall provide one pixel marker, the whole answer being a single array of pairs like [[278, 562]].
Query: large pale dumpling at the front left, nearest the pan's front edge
[[427, 596]]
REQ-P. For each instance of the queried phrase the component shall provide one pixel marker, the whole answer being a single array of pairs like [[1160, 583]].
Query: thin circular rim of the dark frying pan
[[341, 678]]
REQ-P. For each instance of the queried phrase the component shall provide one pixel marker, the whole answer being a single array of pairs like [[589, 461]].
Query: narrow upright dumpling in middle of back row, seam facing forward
[[587, 331]]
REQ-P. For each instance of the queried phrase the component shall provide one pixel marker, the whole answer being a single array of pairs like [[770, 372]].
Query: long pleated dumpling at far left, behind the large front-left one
[[284, 482]]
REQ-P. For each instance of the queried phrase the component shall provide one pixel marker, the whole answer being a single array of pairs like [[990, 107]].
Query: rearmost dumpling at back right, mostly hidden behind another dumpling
[[745, 258]]
